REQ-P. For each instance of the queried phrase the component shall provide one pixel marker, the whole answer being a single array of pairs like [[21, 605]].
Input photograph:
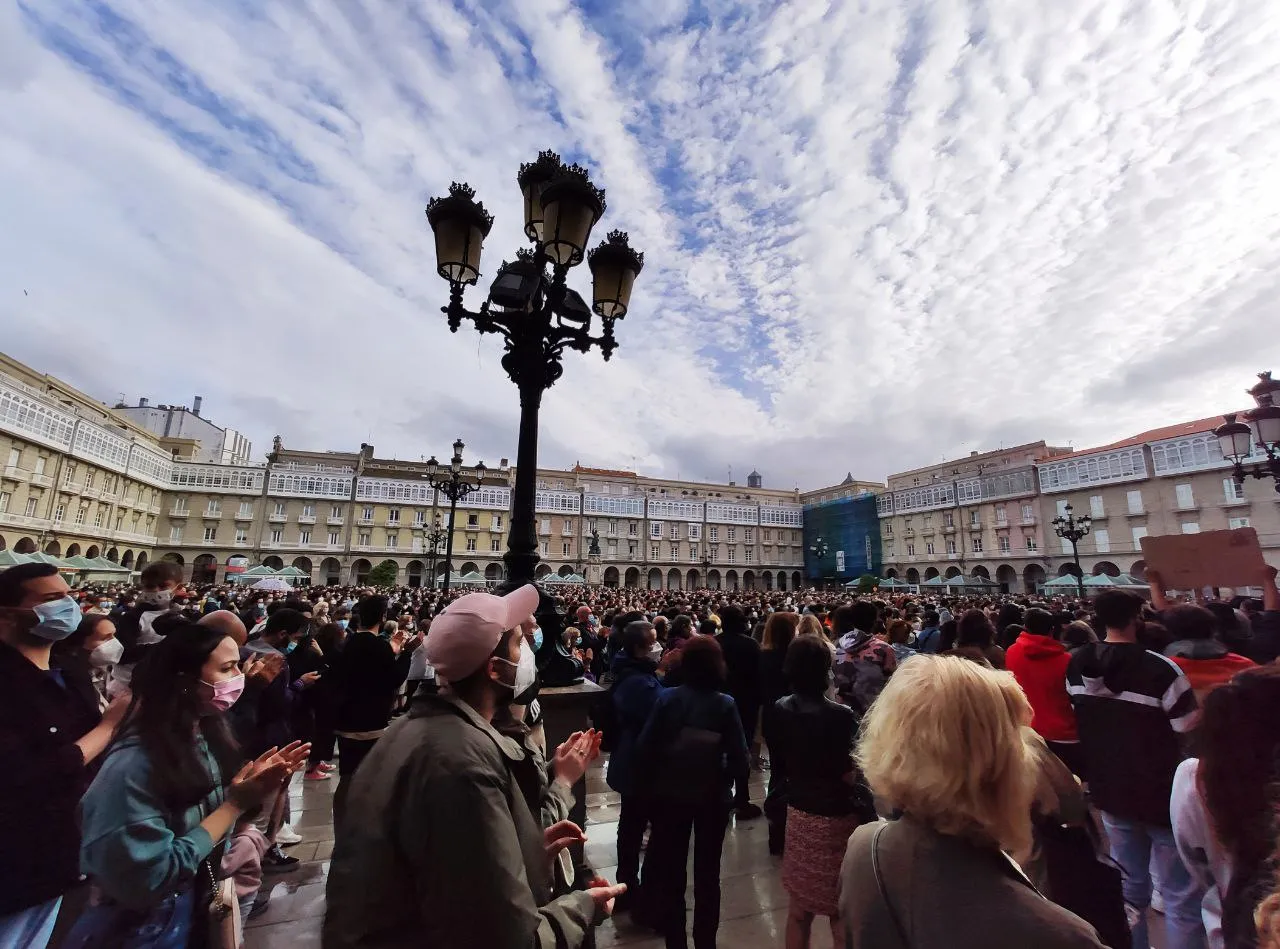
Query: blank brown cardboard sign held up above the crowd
[[1212, 559]]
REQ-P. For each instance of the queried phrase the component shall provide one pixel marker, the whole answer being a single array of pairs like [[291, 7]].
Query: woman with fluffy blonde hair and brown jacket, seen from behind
[[943, 749]]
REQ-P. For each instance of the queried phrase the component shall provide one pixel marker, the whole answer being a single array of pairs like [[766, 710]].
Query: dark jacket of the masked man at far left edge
[[43, 777]]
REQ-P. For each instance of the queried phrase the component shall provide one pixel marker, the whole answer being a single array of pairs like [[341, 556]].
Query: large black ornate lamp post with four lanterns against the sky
[[534, 311]]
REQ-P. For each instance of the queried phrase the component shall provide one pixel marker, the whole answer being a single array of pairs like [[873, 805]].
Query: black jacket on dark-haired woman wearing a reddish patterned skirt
[[812, 749]]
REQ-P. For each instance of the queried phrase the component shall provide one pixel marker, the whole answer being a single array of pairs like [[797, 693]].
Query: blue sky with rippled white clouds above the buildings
[[877, 234]]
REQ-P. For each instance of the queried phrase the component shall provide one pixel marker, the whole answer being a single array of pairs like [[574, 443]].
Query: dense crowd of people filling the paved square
[[941, 772]]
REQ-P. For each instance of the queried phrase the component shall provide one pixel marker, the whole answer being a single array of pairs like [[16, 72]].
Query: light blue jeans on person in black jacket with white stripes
[[1144, 852]]
